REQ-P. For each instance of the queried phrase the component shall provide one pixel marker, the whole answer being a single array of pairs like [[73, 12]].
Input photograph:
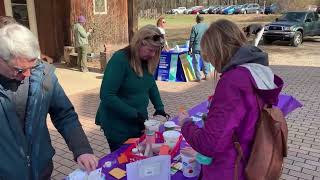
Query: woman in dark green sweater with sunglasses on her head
[[127, 86]]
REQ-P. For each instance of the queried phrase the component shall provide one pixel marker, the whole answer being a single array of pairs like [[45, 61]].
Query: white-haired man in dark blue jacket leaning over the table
[[29, 90]]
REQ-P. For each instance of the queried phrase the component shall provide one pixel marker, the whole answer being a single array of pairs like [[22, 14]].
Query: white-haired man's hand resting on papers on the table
[[87, 162]]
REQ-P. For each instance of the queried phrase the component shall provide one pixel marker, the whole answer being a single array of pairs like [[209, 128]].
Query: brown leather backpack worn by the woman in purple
[[269, 146]]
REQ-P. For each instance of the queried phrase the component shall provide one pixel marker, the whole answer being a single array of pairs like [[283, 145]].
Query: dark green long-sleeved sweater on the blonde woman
[[123, 94]]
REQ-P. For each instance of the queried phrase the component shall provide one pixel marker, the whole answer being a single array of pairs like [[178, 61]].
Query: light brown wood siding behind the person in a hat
[[110, 28]]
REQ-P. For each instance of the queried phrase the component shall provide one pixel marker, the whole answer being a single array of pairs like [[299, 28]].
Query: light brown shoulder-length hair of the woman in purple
[[220, 42]]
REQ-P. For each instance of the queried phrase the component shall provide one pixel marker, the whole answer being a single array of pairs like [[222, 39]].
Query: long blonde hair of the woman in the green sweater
[[144, 37]]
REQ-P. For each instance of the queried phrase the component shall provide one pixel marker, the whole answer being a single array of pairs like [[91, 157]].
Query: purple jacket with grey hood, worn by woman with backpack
[[234, 109]]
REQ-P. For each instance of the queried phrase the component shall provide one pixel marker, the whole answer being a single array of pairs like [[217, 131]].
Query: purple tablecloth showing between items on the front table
[[286, 103]]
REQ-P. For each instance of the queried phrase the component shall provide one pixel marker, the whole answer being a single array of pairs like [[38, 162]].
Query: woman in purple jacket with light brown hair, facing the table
[[245, 78]]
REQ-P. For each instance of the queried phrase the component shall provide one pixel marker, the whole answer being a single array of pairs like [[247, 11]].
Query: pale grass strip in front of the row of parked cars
[[178, 27]]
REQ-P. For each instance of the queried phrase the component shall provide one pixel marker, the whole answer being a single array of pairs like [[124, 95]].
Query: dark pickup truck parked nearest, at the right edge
[[293, 26]]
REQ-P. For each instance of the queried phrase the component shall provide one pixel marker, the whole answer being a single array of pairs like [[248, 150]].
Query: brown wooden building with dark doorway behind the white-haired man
[[113, 21]]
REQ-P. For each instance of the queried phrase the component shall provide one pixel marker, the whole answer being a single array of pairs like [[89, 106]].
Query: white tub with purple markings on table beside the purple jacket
[[190, 169]]
